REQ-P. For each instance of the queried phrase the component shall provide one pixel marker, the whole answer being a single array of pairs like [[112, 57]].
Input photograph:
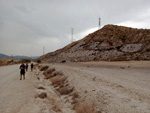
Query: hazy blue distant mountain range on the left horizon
[[17, 56]]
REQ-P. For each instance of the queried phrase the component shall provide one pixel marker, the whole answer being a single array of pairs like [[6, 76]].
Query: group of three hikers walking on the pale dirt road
[[23, 69]]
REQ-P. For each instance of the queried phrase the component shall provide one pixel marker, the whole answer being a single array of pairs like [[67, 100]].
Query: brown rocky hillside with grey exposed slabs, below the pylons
[[111, 43]]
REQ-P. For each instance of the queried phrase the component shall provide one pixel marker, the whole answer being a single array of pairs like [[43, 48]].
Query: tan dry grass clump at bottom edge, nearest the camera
[[86, 107]]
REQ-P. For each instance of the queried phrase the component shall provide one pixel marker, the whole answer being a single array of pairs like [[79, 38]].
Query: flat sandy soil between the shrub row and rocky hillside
[[114, 87]]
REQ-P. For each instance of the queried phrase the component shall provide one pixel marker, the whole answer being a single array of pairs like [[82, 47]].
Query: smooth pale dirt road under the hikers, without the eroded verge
[[17, 96]]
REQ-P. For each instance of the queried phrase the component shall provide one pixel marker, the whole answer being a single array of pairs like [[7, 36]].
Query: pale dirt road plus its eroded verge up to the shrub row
[[21, 96]]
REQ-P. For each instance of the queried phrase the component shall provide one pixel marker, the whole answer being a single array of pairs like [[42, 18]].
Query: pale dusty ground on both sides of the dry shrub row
[[113, 87]]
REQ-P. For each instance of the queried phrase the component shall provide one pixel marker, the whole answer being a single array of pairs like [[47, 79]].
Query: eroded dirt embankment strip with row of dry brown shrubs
[[59, 93]]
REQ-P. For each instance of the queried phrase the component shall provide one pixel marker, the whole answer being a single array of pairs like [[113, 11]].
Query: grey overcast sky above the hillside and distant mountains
[[28, 25]]
